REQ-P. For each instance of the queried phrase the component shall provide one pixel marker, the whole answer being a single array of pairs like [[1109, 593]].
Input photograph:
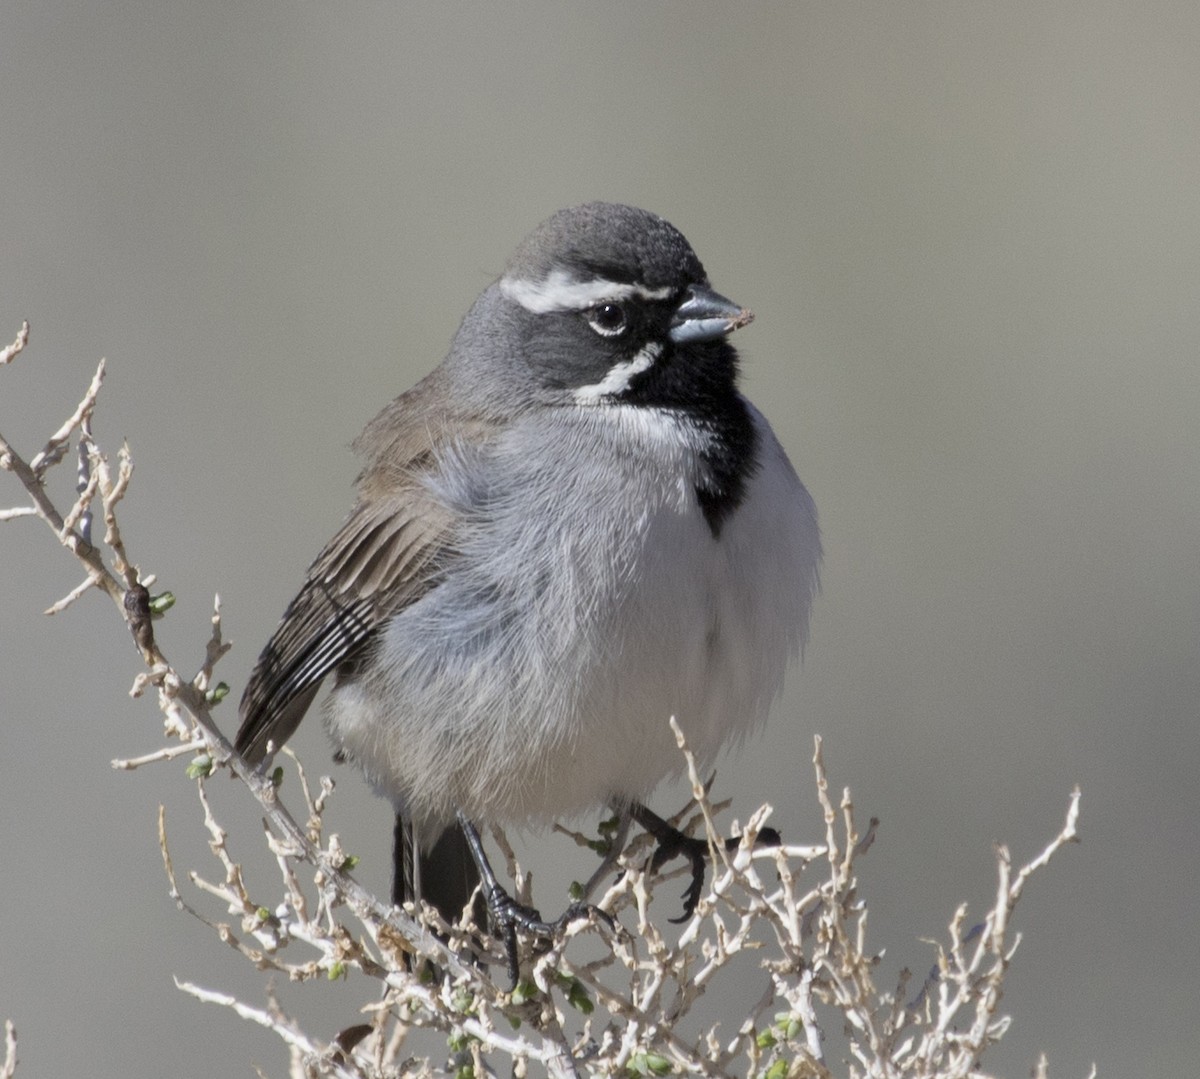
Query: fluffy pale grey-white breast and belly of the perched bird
[[539, 679]]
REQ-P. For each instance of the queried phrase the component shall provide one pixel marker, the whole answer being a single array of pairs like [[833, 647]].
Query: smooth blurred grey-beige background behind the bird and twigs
[[971, 236]]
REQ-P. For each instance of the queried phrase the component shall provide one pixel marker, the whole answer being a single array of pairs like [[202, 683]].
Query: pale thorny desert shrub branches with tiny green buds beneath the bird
[[787, 919]]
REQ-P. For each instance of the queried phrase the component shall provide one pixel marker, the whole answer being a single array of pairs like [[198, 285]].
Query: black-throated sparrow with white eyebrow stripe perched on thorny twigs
[[572, 531]]
